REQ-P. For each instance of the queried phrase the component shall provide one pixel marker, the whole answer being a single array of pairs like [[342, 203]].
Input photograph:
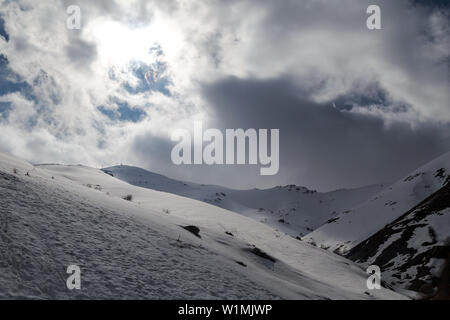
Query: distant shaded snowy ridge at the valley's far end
[[291, 209]]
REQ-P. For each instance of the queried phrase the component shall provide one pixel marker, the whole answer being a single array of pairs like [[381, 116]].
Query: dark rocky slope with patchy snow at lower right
[[412, 249]]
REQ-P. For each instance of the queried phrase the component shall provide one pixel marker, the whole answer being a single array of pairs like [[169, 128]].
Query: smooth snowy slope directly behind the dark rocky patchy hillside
[[358, 224]]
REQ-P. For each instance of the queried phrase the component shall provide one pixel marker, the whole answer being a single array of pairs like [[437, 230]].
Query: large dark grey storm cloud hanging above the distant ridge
[[321, 146]]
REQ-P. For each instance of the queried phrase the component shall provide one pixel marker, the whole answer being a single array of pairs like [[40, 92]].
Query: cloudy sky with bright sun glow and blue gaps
[[354, 106]]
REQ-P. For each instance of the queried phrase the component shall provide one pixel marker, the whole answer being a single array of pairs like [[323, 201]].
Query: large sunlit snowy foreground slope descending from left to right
[[60, 215]]
